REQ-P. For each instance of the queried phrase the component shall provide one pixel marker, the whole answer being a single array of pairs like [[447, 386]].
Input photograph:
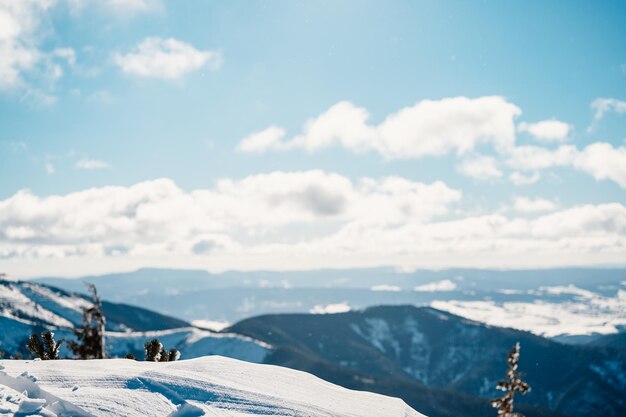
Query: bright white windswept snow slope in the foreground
[[208, 386]]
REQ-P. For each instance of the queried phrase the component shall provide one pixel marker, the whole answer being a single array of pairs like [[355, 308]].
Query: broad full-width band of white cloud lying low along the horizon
[[297, 220]]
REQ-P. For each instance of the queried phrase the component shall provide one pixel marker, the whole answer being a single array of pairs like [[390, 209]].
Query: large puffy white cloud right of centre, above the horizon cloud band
[[430, 127]]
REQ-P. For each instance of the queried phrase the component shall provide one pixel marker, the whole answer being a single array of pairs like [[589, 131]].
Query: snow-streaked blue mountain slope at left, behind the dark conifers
[[27, 307]]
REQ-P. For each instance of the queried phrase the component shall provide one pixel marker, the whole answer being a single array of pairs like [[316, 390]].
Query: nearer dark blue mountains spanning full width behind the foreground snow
[[439, 363]]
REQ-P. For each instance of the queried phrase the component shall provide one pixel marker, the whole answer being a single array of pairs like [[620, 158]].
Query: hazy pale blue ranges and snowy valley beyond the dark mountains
[[575, 305]]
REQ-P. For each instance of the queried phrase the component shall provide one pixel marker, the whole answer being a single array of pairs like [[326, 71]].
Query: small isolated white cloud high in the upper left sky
[[167, 59]]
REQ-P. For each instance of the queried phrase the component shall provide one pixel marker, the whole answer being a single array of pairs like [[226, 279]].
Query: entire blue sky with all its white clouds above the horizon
[[290, 135]]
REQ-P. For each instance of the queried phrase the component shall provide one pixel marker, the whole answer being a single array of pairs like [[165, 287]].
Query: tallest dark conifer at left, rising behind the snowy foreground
[[90, 336]]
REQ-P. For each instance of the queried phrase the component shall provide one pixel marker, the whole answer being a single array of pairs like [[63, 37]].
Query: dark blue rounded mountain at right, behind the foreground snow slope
[[403, 345]]
